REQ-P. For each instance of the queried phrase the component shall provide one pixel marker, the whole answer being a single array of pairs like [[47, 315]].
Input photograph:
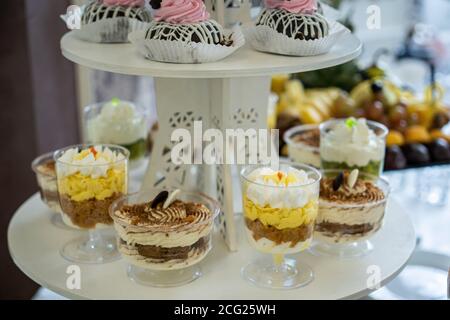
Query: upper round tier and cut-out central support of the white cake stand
[[232, 93]]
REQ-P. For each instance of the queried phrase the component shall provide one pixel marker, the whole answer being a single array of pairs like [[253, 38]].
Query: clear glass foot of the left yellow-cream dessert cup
[[95, 247]]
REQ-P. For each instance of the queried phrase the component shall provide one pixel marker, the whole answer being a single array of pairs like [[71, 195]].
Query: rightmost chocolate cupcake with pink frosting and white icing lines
[[294, 27]]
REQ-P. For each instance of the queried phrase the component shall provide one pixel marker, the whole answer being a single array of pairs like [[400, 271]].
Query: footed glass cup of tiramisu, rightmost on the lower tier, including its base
[[343, 228]]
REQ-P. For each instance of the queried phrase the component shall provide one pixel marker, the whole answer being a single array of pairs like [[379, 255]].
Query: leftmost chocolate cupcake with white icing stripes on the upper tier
[[110, 21]]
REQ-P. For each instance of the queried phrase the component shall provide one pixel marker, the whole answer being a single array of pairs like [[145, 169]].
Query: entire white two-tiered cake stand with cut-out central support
[[226, 94]]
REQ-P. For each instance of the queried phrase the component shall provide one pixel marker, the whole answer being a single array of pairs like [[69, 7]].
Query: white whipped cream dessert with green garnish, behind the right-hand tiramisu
[[348, 144]]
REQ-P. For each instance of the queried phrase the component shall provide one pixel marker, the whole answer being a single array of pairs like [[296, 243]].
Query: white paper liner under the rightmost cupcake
[[266, 39]]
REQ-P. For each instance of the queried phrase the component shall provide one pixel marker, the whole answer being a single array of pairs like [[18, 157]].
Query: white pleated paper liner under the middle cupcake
[[182, 52]]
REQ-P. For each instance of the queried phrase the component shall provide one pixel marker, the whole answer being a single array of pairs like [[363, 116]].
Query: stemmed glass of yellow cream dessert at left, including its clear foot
[[85, 193]]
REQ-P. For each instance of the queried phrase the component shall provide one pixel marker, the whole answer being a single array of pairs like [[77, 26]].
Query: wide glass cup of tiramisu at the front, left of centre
[[164, 247]]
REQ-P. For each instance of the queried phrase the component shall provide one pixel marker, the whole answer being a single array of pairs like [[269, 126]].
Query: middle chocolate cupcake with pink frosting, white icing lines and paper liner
[[182, 32]]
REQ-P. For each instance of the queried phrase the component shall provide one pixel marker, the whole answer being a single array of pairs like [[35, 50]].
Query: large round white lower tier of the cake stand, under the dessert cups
[[34, 245]]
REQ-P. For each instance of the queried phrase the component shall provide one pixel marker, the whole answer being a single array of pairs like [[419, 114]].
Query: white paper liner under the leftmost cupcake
[[111, 30]]
